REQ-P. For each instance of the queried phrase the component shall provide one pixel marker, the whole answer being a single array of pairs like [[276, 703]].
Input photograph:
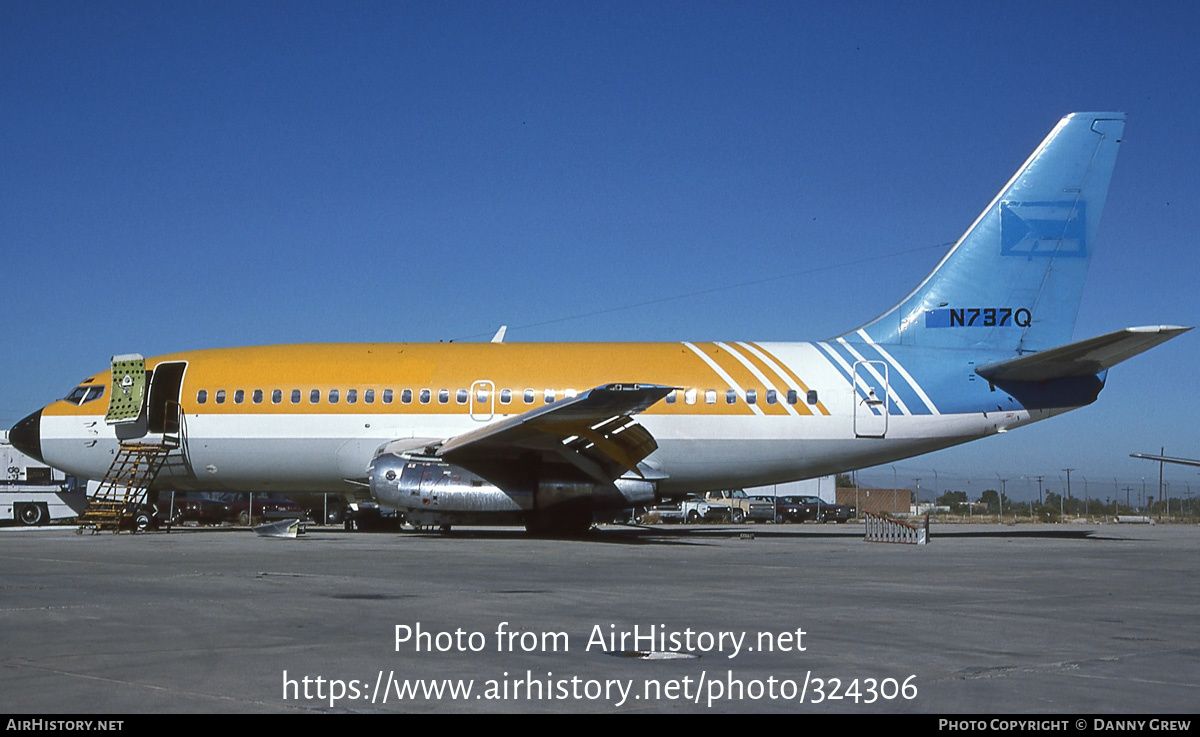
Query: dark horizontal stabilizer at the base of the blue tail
[[1082, 358]]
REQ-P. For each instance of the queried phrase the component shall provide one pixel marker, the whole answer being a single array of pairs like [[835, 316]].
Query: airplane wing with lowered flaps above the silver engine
[[591, 438]]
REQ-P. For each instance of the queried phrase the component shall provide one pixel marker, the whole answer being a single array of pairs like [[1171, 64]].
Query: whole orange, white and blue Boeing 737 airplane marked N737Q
[[547, 435]]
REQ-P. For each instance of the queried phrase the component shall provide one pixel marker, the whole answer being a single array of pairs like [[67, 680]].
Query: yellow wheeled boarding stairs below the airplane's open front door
[[123, 493]]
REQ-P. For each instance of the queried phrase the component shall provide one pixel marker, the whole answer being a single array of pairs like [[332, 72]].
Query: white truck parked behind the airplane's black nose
[[33, 494]]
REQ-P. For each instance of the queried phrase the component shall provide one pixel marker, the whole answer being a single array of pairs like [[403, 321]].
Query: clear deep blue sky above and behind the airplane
[[185, 176]]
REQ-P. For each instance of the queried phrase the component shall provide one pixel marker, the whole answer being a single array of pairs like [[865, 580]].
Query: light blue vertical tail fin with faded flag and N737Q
[[1015, 280]]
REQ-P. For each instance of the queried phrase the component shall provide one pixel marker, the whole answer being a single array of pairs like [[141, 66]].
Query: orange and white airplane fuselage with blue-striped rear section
[[311, 418]]
